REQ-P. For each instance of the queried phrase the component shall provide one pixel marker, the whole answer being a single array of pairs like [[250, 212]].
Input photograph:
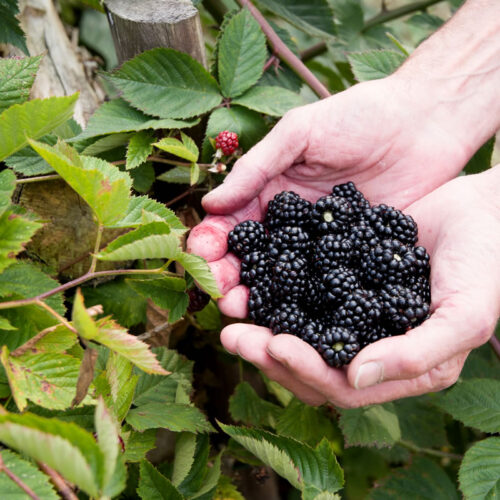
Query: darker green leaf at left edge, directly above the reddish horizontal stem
[[25, 280]]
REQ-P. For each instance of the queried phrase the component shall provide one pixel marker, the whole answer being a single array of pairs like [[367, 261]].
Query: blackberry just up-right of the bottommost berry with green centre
[[360, 313]]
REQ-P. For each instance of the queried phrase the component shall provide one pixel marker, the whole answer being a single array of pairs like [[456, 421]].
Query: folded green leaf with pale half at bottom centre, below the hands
[[304, 467]]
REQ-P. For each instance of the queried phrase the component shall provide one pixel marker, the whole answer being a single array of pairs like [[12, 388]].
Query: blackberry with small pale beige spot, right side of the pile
[[390, 261]]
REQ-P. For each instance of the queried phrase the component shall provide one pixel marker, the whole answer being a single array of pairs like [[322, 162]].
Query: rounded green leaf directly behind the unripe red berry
[[249, 125]]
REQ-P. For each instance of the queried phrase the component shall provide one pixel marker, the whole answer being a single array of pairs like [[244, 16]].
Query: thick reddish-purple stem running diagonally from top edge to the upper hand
[[284, 53]]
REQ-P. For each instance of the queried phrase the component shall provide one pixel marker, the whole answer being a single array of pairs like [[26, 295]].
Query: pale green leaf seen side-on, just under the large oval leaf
[[118, 116]]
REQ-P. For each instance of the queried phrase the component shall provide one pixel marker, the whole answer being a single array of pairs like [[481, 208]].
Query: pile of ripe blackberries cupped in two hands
[[339, 273]]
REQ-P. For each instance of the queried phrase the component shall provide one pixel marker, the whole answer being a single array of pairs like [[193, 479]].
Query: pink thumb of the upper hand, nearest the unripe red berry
[[280, 149]]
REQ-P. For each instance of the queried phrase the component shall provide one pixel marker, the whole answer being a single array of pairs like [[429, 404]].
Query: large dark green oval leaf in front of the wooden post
[[167, 83]]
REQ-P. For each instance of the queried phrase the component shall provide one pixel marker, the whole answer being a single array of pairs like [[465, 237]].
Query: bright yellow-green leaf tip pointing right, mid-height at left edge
[[15, 231]]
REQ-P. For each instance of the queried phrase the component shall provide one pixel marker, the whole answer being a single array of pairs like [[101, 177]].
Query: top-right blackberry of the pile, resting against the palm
[[391, 223]]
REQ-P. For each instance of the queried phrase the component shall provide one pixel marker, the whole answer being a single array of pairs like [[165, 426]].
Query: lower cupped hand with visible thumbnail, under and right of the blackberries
[[459, 224]]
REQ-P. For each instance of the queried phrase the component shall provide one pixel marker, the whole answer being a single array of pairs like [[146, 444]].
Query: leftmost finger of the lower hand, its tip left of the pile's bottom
[[250, 342]]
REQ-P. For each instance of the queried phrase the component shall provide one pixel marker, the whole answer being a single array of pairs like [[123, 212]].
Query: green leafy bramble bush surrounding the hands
[[101, 362]]
